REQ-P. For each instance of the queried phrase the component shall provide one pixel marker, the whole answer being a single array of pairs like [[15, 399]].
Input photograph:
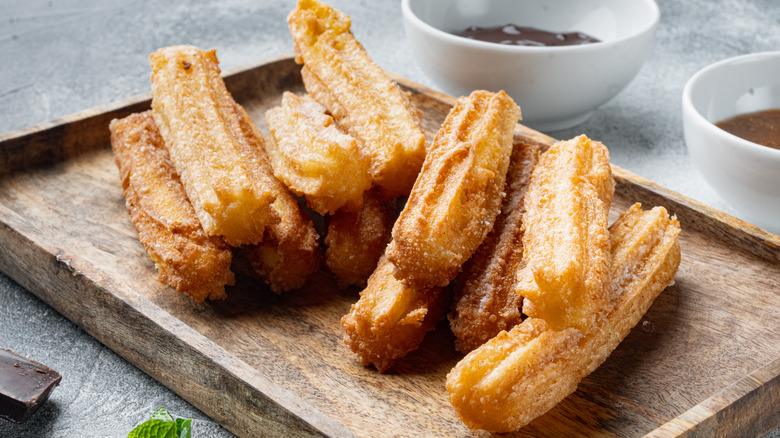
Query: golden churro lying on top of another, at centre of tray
[[457, 195]]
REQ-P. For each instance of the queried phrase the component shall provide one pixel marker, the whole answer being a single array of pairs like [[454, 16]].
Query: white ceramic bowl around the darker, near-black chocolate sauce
[[556, 87]]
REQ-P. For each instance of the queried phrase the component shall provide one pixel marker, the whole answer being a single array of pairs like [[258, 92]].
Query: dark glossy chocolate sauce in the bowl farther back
[[513, 35]]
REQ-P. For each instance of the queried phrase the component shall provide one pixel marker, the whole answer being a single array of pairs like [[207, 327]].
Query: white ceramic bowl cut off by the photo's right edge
[[746, 175]]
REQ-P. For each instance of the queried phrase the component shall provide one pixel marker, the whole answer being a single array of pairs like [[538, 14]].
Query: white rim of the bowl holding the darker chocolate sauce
[[455, 39]]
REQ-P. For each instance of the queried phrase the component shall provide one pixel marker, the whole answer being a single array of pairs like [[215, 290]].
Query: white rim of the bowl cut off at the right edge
[[710, 127]]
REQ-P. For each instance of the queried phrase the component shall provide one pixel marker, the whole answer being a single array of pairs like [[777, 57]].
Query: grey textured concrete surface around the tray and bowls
[[60, 57]]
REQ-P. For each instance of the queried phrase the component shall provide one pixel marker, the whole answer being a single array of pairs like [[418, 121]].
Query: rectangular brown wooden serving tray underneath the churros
[[704, 361]]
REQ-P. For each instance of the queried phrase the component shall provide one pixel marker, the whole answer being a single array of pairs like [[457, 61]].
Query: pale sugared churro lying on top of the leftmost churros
[[197, 118]]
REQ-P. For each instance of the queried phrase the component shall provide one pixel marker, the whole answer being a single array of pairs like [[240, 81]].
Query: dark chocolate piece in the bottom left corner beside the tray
[[24, 385]]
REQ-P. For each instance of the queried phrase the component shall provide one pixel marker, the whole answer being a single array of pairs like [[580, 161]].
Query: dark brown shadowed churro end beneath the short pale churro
[[356, 241]]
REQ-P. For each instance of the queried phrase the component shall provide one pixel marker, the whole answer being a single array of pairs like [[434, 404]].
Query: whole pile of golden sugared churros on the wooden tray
[[511, 244]]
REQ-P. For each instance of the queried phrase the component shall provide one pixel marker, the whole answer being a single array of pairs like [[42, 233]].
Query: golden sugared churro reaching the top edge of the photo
[[341, 76]]
